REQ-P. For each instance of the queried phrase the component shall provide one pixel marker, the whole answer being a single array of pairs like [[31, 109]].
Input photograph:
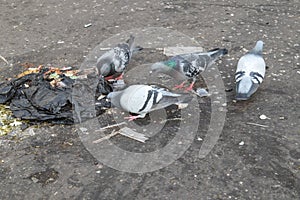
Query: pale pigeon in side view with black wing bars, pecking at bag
[[139, 100]]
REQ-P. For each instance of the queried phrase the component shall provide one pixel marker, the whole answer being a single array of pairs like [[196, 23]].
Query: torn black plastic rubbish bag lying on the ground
[[32, 97]]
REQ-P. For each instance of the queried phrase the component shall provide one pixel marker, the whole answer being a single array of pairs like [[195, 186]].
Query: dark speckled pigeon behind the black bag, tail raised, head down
[[113, 63]]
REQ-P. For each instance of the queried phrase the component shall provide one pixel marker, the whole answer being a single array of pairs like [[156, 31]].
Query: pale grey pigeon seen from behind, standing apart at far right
[[250, 72]]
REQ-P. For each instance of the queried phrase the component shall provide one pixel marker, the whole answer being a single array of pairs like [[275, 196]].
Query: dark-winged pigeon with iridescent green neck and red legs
[[188, 66]]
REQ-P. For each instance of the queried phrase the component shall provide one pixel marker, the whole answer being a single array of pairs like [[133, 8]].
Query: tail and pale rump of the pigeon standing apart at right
[[245, 88]]
